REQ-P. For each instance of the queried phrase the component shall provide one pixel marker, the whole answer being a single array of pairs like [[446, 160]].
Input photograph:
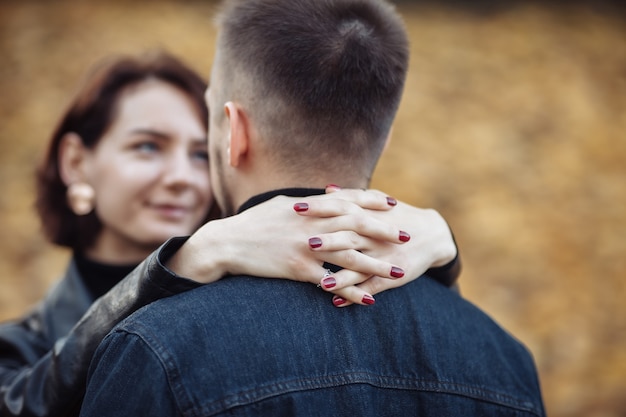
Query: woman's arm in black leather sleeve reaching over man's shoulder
[[34, 383]]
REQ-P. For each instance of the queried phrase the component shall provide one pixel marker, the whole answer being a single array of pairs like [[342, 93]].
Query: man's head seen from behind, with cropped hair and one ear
[[302, 93]]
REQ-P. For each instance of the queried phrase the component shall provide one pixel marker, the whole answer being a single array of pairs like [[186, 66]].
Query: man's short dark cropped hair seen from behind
[[328, 74]]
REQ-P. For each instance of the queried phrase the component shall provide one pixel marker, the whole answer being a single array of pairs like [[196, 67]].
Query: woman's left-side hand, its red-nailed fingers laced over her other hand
[[273, 240]]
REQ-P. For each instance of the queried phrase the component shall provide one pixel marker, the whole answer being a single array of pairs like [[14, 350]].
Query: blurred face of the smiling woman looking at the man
[[150, 172]]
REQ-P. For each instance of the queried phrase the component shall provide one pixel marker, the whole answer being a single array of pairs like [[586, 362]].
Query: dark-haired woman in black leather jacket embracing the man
[[127, 169]]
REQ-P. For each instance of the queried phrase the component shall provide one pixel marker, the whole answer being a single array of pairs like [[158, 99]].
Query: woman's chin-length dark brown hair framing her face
[[89, 115]]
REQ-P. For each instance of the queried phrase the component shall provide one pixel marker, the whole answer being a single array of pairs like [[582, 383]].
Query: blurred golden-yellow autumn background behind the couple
[[513, 126]]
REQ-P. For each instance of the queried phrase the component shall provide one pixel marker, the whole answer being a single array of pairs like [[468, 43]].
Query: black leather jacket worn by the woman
[[45, 356]]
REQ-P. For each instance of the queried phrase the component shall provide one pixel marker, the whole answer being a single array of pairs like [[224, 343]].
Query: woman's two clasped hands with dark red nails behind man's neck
[[292, 238]]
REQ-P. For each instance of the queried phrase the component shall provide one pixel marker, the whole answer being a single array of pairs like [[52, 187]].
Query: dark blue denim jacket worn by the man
[[246, 346]]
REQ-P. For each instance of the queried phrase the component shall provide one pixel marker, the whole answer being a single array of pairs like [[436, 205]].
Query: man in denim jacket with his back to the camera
[[304, 94]]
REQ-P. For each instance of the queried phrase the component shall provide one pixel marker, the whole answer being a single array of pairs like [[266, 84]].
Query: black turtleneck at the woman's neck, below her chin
[[99, 277]]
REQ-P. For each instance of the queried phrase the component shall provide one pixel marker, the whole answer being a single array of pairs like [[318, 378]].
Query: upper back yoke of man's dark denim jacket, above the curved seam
[[242, 333]]
